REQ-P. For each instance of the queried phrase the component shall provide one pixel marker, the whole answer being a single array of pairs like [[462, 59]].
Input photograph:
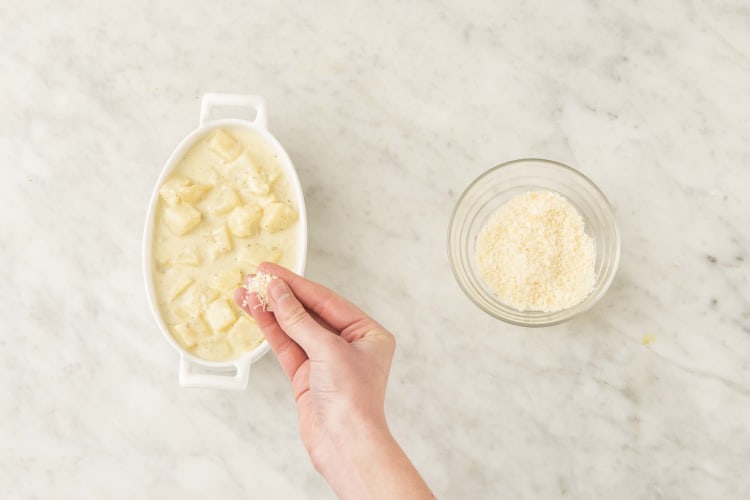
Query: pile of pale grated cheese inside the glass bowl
[[535, 255]]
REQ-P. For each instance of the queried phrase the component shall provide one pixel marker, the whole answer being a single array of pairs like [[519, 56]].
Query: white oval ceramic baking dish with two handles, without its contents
[[193, 371]]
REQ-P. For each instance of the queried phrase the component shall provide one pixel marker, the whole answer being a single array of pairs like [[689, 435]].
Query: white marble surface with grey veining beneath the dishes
[[388, 109]]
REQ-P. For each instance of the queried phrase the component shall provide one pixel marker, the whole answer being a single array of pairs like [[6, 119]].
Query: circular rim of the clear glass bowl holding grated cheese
[[513, 316]]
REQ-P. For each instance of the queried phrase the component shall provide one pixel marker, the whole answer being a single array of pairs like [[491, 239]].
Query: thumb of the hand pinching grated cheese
[[296, 322]]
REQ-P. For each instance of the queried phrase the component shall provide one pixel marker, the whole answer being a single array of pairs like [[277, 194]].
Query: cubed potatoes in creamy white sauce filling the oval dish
[[226, 207]]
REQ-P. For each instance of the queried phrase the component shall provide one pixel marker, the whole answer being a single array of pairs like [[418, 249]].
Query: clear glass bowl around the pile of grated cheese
[[497, 186]]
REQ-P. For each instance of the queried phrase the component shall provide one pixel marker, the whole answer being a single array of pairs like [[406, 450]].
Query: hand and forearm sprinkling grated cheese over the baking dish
[[338, 360]]
